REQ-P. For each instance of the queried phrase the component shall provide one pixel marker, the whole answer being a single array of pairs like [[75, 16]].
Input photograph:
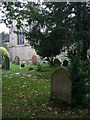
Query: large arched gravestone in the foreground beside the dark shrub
[[61, 85]]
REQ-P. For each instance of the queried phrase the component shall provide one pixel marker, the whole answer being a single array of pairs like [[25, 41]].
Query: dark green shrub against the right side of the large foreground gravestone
[[79, 70]]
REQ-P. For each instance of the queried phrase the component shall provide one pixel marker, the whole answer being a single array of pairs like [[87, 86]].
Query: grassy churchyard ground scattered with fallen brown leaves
[[27, 94]]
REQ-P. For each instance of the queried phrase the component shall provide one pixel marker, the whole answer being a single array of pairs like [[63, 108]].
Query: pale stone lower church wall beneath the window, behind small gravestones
[[24, 53]]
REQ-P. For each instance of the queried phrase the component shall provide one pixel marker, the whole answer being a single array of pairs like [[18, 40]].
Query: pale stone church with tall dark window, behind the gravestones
[[19, 49]]
